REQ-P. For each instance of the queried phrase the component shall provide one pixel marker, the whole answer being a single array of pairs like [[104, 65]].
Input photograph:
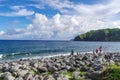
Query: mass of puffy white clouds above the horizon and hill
[[71, 20]]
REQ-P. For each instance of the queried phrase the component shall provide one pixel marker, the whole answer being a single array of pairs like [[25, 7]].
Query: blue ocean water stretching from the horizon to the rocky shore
[[24, 49]]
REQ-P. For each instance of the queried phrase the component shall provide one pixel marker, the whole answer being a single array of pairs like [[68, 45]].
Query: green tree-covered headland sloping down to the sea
[[100, 35]]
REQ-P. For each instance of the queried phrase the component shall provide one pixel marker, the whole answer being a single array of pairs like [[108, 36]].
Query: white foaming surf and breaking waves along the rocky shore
[[30, 56]]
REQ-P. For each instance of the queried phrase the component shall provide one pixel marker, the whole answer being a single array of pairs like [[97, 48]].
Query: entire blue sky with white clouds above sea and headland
[[55, 19]]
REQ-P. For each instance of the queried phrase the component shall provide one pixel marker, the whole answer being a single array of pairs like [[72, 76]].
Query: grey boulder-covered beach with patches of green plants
[[70, 67]]
